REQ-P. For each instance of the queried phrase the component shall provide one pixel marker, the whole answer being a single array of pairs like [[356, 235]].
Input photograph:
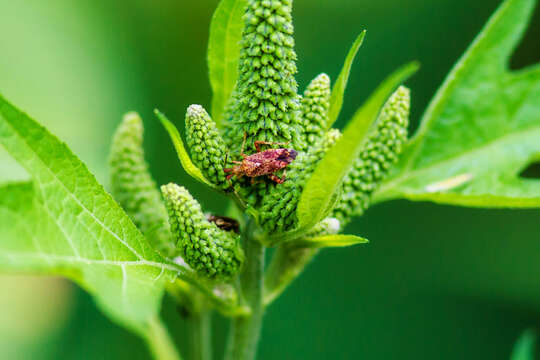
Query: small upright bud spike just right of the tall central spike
[[315, 105]]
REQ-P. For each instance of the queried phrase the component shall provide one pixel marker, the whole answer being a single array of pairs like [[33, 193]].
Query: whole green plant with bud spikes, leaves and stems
[[480, 130]]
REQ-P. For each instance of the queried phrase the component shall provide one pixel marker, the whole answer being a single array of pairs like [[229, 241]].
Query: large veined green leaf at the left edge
[[65, 223]]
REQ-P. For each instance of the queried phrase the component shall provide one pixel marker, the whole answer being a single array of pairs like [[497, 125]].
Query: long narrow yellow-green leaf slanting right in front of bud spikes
[[326, 179]]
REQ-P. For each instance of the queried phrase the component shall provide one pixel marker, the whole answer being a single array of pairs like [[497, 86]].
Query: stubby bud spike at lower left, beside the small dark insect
[[211, 252]]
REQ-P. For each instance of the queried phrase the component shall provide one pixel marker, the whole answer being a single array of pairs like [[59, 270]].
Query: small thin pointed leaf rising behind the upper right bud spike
[[338, 91]]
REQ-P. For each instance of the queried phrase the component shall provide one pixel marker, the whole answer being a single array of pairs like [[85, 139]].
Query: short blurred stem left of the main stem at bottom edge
[[201, 336]]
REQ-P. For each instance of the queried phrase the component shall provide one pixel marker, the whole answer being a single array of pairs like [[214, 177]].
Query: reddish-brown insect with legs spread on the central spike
[[262, 163]]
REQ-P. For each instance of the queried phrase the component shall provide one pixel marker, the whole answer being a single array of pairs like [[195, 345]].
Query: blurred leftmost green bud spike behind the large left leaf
[[133, 186]]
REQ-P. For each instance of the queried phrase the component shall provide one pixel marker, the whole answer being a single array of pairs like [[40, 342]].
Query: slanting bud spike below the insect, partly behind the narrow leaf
[[277, 213]]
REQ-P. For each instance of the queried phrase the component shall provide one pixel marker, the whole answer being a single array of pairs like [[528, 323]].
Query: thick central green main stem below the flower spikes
[[245, 330]]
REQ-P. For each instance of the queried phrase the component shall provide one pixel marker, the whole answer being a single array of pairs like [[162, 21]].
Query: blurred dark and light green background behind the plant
[[435, 282]]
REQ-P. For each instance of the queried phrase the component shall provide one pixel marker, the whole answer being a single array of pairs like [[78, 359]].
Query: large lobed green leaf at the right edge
[[481, 129]]
